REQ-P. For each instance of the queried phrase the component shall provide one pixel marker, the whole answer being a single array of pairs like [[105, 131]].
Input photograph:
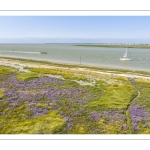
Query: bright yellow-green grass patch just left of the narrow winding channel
[[117, 96]]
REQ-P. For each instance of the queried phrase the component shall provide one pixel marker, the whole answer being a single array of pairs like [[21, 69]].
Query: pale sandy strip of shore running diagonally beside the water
[[21, 64]]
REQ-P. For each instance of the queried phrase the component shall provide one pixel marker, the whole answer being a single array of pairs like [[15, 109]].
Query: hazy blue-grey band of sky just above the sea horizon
[[75, 40]]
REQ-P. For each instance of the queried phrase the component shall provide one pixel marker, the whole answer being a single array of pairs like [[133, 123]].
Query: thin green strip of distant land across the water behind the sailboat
[[115, 46]]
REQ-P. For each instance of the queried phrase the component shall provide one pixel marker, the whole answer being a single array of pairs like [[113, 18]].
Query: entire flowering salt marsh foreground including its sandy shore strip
[[53, 98]]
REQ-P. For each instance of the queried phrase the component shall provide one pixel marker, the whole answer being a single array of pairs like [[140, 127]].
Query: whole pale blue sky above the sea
[[74, 29]]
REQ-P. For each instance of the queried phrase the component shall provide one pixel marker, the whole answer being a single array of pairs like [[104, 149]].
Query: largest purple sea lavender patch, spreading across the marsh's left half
[[36, 90]]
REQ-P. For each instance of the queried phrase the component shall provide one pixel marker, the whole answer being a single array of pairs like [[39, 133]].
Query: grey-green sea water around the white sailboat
[[69, 53]]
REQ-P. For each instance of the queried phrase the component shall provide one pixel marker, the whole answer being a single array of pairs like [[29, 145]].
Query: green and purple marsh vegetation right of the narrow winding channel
[[139, 108]]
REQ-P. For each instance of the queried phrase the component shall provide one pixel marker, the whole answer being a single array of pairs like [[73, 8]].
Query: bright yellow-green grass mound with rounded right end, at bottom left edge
[[47, 124]]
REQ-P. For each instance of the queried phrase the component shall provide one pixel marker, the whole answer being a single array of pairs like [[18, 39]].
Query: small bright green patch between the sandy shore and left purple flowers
[[28, 76]]
